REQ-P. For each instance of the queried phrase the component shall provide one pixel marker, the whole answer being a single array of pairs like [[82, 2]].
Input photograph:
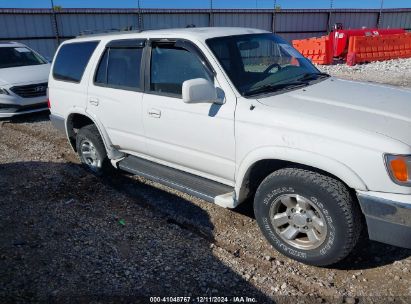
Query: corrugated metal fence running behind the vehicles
[[43, 30]]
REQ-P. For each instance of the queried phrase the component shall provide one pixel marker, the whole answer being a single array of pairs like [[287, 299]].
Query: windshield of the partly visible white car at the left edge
[[18, 56]]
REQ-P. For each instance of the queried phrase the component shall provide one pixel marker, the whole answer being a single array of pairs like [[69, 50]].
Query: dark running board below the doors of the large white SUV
[[200, 187]]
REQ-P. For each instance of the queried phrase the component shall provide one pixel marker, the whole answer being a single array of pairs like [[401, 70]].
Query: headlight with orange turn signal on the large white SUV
[[399, 168]]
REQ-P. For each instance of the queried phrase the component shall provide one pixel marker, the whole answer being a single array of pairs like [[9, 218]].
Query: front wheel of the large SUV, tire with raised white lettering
[[307, 216]]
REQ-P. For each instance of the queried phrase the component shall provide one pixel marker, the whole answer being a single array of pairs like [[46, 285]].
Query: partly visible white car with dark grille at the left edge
[[23, 80]]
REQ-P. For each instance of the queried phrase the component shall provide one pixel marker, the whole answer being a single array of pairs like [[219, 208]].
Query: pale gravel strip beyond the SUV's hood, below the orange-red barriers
[[395, 72]]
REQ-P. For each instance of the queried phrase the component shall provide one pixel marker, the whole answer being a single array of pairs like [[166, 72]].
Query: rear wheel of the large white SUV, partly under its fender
[[91, 150]]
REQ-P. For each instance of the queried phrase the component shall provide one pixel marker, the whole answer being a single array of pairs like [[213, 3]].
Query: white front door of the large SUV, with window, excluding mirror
[[198, 138]]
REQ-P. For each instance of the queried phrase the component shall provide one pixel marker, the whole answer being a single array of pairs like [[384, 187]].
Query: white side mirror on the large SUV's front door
[[199, 90]]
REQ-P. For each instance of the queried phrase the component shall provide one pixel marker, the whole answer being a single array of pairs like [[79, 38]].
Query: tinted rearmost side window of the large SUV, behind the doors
[[72, 59]]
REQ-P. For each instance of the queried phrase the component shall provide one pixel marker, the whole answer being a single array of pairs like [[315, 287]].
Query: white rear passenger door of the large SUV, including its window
[[115, 94]]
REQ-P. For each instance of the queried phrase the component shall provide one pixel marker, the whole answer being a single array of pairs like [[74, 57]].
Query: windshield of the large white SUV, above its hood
[[260, 63]]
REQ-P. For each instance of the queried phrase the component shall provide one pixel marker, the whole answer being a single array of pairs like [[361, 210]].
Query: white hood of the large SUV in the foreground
[[376, 108]]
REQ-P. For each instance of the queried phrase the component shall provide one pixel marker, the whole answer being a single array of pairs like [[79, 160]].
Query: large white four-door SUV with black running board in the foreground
[[227, 114]]
